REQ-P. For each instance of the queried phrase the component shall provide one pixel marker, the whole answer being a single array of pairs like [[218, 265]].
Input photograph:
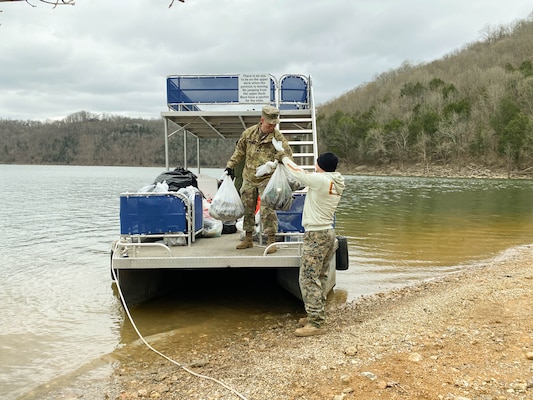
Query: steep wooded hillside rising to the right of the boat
[[472, 106]]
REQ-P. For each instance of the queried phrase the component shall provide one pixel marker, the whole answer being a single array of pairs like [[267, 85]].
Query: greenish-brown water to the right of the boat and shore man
[[402, 230]]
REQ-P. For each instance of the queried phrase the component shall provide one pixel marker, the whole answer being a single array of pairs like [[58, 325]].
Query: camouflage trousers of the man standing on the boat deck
[[269, 219]]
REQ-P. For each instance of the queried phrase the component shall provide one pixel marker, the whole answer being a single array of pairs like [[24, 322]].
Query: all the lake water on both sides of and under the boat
[[60, 311]]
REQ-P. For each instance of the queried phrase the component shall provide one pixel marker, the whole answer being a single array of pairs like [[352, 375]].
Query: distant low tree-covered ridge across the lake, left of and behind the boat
[[85, 138]]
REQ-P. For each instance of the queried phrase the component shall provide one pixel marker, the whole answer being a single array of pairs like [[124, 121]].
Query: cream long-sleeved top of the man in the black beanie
[[324, 190]]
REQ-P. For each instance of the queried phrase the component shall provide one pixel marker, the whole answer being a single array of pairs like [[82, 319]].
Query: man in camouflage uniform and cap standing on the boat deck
[[255, 148]]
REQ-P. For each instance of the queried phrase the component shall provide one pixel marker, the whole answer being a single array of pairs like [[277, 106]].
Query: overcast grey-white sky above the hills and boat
[[113, 56]]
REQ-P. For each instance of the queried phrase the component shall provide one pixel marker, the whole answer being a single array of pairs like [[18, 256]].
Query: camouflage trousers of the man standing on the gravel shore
[[317, 252]]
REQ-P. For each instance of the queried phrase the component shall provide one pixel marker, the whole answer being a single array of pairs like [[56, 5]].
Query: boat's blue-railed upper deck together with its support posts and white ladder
[[223, 106]]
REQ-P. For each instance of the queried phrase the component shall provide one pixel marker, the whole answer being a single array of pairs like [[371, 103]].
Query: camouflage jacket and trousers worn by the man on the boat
[[256, 150]]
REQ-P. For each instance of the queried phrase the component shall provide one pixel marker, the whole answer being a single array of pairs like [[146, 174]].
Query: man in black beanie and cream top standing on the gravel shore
[[324, 190]]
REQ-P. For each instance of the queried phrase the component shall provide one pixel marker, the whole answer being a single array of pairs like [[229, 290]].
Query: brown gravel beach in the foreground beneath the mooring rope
[[465, 336]]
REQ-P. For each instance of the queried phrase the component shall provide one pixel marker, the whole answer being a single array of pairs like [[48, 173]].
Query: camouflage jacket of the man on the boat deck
[[256, 152]]
